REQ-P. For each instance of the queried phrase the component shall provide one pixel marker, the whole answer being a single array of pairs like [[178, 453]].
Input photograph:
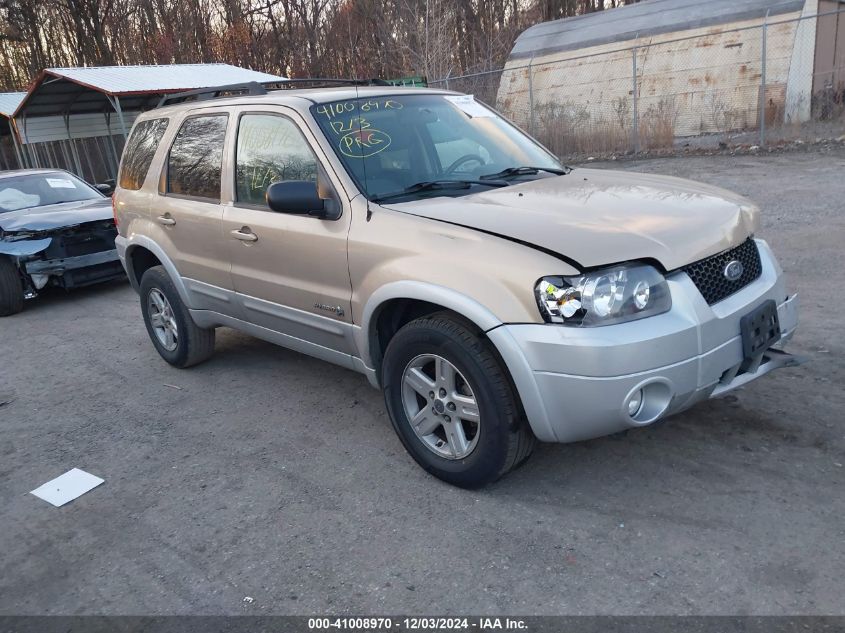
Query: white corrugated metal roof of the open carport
[[117, 80]]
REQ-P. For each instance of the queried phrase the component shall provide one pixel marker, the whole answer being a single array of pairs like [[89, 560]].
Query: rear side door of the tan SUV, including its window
[[188, 213]]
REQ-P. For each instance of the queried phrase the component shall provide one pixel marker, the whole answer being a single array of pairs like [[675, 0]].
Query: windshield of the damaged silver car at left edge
[[39, 190]]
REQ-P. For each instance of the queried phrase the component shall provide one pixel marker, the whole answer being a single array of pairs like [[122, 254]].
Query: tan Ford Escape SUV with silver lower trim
[[494, 295]]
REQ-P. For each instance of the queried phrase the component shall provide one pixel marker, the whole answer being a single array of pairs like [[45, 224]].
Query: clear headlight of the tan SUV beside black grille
[[612, 295]]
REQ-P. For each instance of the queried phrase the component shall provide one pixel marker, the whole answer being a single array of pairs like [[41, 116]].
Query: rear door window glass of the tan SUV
[[196, 157]]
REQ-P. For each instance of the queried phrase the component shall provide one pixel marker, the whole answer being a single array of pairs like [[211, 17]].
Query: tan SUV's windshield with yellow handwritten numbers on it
[[392, 143]]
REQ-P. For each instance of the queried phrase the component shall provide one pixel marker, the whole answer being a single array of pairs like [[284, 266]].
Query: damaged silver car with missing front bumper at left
[[55, 230]]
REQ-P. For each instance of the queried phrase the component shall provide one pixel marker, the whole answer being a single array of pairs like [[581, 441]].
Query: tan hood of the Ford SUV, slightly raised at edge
[[598, 217]]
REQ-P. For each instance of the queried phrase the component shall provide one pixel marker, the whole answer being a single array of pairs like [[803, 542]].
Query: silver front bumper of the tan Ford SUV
[[575, 383]]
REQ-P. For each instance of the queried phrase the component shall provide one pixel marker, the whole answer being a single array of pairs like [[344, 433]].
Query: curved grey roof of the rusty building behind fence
[[649, 17]]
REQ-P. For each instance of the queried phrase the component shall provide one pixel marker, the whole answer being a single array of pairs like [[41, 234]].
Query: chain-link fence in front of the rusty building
[[755, 84]]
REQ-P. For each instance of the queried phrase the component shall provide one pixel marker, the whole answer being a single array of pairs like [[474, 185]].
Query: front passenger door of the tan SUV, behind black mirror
[[290, 272]]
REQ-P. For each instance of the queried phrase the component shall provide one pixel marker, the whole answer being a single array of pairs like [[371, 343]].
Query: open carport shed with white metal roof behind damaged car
[[78, 118]]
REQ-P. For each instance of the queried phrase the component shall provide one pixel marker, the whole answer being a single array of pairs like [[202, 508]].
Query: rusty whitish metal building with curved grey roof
[[699, 67]]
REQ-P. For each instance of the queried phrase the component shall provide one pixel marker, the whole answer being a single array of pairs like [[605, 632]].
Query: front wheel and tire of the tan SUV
[[500, 441]]
